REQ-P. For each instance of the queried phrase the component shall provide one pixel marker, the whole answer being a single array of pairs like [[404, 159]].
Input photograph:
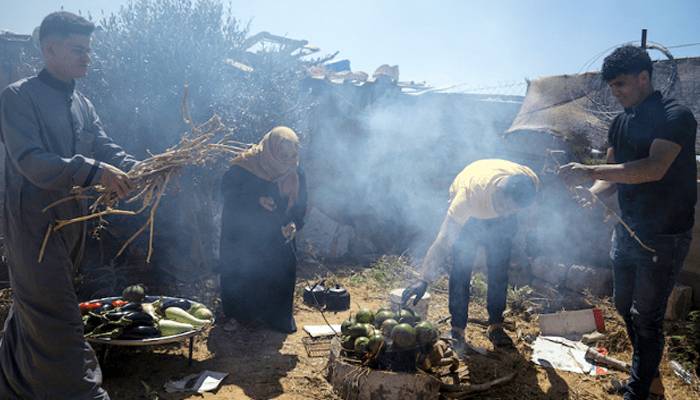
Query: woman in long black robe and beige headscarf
[[264, 205]]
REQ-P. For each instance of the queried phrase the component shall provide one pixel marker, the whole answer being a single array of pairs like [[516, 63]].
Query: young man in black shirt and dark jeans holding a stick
[[651, 163]]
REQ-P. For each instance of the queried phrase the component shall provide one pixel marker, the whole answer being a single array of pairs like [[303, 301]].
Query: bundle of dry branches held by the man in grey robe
[[151, 176]]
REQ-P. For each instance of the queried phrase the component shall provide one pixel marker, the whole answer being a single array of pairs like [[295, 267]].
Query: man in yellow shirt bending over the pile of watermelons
[[484, 199]]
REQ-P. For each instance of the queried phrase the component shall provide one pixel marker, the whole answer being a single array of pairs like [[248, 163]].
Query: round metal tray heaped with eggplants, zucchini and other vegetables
[[135, 319]]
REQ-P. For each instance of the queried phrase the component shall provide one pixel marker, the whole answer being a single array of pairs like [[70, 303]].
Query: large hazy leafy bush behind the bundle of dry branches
[[150, 49]]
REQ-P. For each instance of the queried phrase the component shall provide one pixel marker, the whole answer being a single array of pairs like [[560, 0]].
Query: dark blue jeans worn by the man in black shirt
[[643, 281]]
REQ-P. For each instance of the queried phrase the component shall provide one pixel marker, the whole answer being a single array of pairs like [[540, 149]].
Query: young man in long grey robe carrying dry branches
[[53, 142]]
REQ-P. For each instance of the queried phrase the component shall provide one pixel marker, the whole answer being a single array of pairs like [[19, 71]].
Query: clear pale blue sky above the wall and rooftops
[[481, 46]]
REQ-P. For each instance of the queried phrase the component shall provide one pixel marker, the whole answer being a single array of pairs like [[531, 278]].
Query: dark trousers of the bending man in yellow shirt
[[496, 235]]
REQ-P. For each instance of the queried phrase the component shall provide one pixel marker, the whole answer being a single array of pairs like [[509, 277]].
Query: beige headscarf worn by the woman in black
[[275, 159]]
